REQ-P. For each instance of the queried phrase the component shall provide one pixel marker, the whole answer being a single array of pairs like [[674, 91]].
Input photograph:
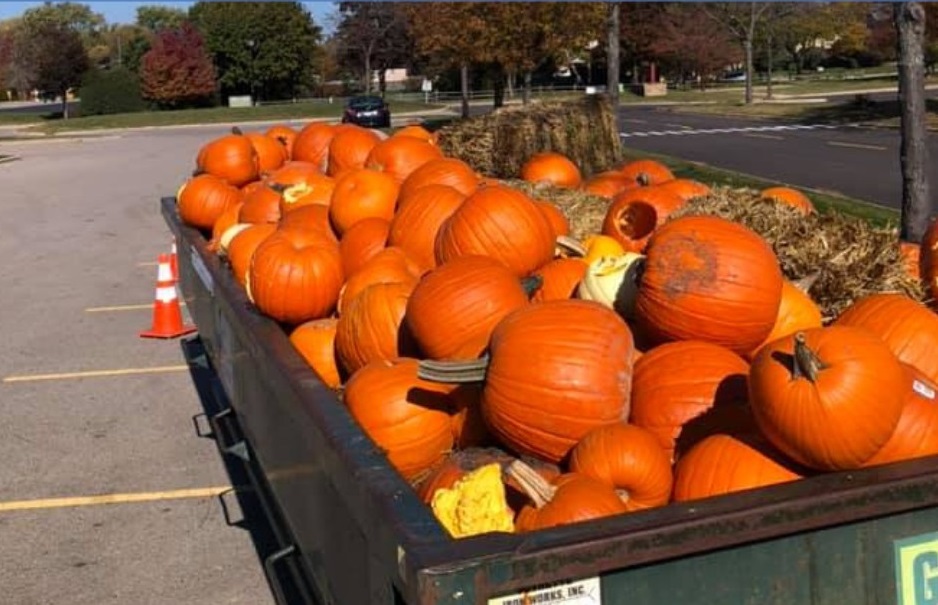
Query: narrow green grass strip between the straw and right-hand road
[[824, 201]]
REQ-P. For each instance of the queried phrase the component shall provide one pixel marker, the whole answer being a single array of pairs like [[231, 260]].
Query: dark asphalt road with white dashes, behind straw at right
[[859, 162]]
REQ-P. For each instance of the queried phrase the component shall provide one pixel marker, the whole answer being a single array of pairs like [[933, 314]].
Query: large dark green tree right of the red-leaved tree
[[267, 49]]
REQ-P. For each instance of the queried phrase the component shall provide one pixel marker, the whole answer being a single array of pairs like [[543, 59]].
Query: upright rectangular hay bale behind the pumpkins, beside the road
[[498, 144]]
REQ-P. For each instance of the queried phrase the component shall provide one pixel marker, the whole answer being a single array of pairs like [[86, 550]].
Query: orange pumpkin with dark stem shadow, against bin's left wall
[[406, 417]]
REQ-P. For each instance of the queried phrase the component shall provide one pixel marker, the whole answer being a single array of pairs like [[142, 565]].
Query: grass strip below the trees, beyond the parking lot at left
[[214, 115]]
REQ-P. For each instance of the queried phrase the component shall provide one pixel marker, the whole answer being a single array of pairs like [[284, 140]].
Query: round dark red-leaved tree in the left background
[[178, 71]]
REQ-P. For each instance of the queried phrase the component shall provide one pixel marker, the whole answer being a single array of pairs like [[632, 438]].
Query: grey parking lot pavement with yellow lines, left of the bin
[[80, 222]]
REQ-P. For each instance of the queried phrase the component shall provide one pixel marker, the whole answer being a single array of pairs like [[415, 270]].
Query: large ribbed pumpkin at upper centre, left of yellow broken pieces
[[499, 222]]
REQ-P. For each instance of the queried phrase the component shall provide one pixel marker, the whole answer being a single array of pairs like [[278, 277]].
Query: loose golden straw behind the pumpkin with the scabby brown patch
[[850, 257]]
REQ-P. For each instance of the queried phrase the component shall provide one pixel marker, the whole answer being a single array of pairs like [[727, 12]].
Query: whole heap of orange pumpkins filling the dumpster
[[522, 378]]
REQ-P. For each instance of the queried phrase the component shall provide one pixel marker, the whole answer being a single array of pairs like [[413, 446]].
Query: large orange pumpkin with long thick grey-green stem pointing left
[[556, 370]]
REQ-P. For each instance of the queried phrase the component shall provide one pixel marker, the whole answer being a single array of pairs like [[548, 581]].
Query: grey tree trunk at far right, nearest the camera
[[909, 20]]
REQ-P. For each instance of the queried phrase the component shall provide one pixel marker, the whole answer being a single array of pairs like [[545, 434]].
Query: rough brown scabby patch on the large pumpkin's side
[[689, 263]]
